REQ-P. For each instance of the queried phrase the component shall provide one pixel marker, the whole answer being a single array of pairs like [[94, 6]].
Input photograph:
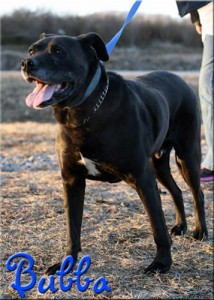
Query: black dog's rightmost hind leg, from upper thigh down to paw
[[186, 140]]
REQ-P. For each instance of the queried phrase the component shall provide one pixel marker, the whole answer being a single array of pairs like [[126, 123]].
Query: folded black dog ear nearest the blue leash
[[94, 40]]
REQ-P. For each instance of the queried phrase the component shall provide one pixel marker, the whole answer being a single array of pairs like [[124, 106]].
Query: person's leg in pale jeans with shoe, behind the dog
[[206, 83]]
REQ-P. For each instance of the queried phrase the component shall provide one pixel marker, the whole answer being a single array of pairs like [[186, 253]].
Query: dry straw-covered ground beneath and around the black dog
[[116, 232]]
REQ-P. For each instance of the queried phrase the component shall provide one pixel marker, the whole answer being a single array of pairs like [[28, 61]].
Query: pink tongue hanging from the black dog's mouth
[[40, 94]]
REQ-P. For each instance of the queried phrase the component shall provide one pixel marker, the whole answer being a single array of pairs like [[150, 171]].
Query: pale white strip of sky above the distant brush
[[84, 7]]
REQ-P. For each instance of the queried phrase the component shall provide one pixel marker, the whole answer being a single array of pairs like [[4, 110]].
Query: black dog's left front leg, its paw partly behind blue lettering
[[74, 193]]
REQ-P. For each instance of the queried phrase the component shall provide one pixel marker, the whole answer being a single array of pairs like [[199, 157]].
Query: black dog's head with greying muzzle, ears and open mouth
[[60, 66]]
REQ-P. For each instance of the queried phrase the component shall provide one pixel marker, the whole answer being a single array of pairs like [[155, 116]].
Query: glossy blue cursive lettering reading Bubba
[[82, 283]]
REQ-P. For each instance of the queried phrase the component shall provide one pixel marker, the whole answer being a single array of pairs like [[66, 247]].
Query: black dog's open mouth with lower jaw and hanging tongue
[[45, 94]]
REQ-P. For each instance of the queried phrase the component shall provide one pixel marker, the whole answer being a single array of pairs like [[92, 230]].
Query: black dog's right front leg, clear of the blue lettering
[[147, 189]]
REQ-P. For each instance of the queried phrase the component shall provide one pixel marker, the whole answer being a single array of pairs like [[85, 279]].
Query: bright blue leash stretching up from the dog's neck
[[111, 44]]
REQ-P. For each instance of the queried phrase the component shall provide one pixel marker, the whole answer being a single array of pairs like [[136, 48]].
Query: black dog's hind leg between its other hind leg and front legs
[[163, 174]]
